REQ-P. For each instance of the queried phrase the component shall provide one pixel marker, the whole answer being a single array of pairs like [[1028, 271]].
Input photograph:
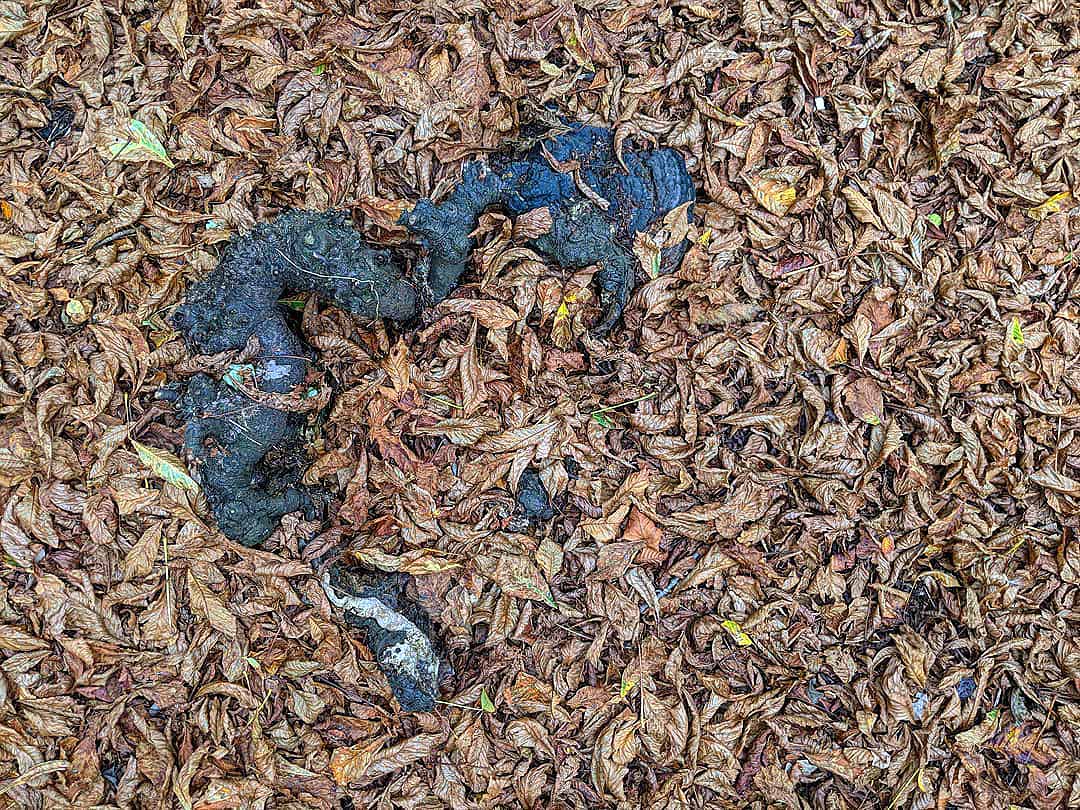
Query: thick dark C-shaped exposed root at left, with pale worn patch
[[228, 434]]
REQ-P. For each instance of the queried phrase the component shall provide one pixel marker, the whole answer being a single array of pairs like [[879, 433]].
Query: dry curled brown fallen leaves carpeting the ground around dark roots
[[816, 501]]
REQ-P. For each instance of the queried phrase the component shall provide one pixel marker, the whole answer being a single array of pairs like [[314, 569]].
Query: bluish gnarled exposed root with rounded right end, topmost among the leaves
[[551, 173]]
